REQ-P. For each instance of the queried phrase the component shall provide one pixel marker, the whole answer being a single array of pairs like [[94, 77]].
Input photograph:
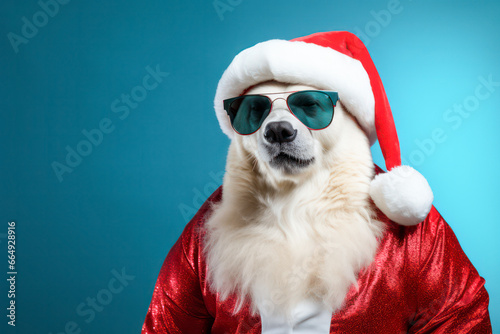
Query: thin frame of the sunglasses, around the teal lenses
[[332, 95]]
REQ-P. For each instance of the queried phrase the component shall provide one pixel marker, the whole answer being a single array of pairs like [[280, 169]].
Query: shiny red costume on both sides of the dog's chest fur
[[419, 282]]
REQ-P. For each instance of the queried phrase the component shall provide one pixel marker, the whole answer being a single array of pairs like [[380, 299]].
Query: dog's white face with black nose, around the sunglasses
[[285, 149]]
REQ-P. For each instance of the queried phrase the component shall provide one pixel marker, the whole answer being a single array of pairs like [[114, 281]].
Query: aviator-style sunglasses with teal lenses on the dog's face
[[314, 108]]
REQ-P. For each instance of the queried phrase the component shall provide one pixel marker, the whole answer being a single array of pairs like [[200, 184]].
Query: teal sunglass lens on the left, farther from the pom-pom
[[248, 112]]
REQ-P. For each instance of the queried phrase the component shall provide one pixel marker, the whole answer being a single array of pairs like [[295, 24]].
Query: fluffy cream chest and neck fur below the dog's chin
[[303, 242]]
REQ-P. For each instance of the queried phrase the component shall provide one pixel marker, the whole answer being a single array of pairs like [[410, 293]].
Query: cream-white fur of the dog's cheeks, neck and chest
[[276, 239]]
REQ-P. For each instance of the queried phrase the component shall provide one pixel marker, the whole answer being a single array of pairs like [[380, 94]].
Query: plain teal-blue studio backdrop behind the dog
[[109, 142]]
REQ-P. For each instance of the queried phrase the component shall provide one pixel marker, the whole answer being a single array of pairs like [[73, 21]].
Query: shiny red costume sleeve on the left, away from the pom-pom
[[178, 304]]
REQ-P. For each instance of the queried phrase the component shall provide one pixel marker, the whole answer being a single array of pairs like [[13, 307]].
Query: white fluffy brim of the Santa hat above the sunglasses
[[299, 62]]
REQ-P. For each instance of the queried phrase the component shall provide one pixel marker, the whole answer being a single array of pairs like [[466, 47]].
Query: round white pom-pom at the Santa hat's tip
[[403, 195]]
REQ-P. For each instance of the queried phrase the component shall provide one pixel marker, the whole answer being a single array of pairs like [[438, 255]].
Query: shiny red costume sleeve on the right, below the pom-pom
[[450, 293]]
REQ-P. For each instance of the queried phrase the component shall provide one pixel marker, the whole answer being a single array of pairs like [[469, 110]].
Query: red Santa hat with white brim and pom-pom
[[336, 61]]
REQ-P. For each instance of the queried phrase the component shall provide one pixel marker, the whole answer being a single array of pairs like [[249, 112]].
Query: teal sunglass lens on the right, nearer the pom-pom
[[313, 108]]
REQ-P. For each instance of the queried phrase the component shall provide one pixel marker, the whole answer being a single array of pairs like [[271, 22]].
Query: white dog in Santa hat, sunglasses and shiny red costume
[[306, 235]]
